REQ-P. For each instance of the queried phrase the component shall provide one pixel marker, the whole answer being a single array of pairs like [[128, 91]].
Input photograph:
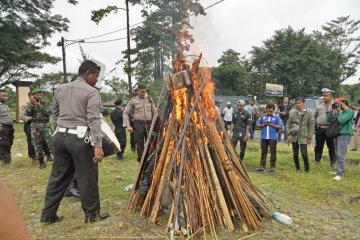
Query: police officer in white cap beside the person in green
[[321, 125]]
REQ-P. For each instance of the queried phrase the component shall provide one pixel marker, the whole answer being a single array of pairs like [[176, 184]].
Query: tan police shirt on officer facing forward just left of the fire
[[143, 109]]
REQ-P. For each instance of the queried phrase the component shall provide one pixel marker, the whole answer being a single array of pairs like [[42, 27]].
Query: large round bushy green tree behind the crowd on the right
[[299, 61]]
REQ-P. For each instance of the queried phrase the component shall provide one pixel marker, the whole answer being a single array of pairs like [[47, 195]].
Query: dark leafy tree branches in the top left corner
[[25, 27]]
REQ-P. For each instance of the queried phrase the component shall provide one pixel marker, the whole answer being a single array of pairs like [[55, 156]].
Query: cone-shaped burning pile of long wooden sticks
[[189, 155]]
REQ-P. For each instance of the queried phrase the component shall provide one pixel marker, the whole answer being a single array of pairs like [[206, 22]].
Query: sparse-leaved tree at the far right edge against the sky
[[343, 35]]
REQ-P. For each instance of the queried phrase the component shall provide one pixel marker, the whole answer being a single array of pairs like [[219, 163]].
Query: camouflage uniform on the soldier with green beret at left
[[40, 128]]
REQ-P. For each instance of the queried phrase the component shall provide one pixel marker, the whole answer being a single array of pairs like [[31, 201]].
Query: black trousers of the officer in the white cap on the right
[[320, 138]]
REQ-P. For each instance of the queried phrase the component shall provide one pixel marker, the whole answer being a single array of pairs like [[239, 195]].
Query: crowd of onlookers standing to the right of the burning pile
[[297, 127]]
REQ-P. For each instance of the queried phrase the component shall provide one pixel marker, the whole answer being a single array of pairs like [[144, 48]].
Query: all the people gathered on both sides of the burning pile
[[76, 147]]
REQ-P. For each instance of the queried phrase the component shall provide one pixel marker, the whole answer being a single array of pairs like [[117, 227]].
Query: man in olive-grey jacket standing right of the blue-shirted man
[[301, 130]]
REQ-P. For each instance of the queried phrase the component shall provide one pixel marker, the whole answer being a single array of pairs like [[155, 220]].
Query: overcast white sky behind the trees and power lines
[[236, 24]]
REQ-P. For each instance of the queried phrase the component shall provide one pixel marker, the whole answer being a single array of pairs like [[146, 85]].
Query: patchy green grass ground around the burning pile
[[320, 207]]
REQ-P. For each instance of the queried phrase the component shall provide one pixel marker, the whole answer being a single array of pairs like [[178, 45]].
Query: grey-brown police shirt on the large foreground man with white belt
[[78, 104]]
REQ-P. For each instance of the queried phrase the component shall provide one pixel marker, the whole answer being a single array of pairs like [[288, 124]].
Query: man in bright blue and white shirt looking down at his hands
[[269, 124]]
